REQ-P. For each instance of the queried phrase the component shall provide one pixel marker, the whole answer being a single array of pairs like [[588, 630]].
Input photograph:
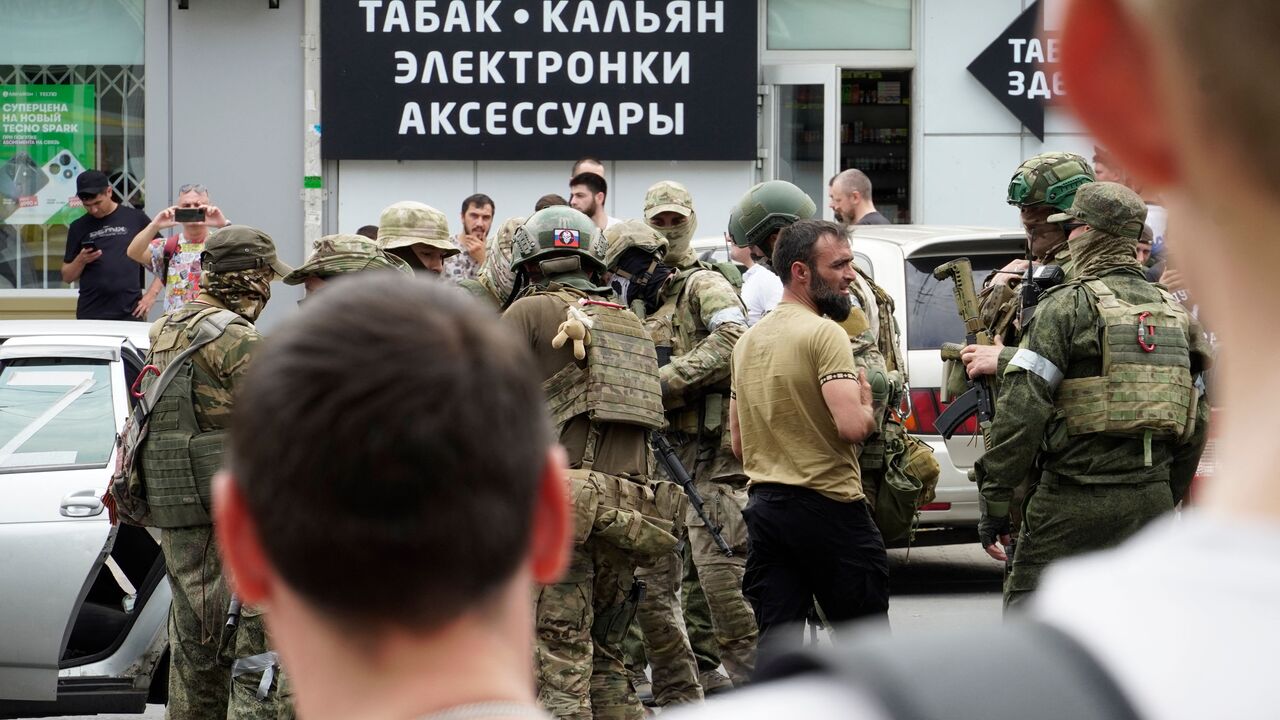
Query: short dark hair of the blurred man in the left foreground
[[385, 509]]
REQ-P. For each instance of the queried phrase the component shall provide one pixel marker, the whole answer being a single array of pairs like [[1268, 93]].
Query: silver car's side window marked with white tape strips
[[56, 413]]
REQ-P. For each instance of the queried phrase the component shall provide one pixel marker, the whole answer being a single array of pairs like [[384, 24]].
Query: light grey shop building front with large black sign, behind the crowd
[[227, 95]]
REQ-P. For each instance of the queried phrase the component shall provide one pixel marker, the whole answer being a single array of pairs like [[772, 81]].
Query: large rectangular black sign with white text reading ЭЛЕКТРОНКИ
[[548, 80]]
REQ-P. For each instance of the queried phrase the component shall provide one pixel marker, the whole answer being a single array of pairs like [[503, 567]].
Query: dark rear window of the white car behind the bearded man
[[931, 308]]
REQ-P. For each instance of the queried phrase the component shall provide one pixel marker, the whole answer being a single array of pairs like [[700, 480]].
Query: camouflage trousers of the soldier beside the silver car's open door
[[200, 657]]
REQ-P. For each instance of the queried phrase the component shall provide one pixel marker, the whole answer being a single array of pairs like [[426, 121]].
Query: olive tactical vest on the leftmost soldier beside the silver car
[[177, 461]]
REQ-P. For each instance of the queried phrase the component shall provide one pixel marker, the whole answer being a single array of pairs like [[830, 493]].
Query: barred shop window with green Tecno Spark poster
[[65, 107]]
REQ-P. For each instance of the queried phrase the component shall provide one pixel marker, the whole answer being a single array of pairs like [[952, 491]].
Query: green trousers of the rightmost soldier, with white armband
[[1066, 520]]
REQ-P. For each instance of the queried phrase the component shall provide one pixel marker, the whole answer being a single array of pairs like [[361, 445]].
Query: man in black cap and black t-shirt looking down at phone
[[111, 286]]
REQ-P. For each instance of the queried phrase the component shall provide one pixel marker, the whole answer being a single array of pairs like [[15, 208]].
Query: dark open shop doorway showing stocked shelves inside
[[876, 136]]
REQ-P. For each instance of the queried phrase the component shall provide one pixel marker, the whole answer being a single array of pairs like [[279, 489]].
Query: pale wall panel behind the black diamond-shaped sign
[[968, 144]]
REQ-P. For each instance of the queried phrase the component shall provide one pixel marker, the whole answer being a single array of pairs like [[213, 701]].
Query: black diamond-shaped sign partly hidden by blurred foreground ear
[[1021, 70]]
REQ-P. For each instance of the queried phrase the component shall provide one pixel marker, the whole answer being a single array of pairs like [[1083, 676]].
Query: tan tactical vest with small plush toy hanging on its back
[[620, 382]]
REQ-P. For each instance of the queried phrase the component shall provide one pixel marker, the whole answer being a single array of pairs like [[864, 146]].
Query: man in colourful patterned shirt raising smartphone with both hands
[[175, 261]]
